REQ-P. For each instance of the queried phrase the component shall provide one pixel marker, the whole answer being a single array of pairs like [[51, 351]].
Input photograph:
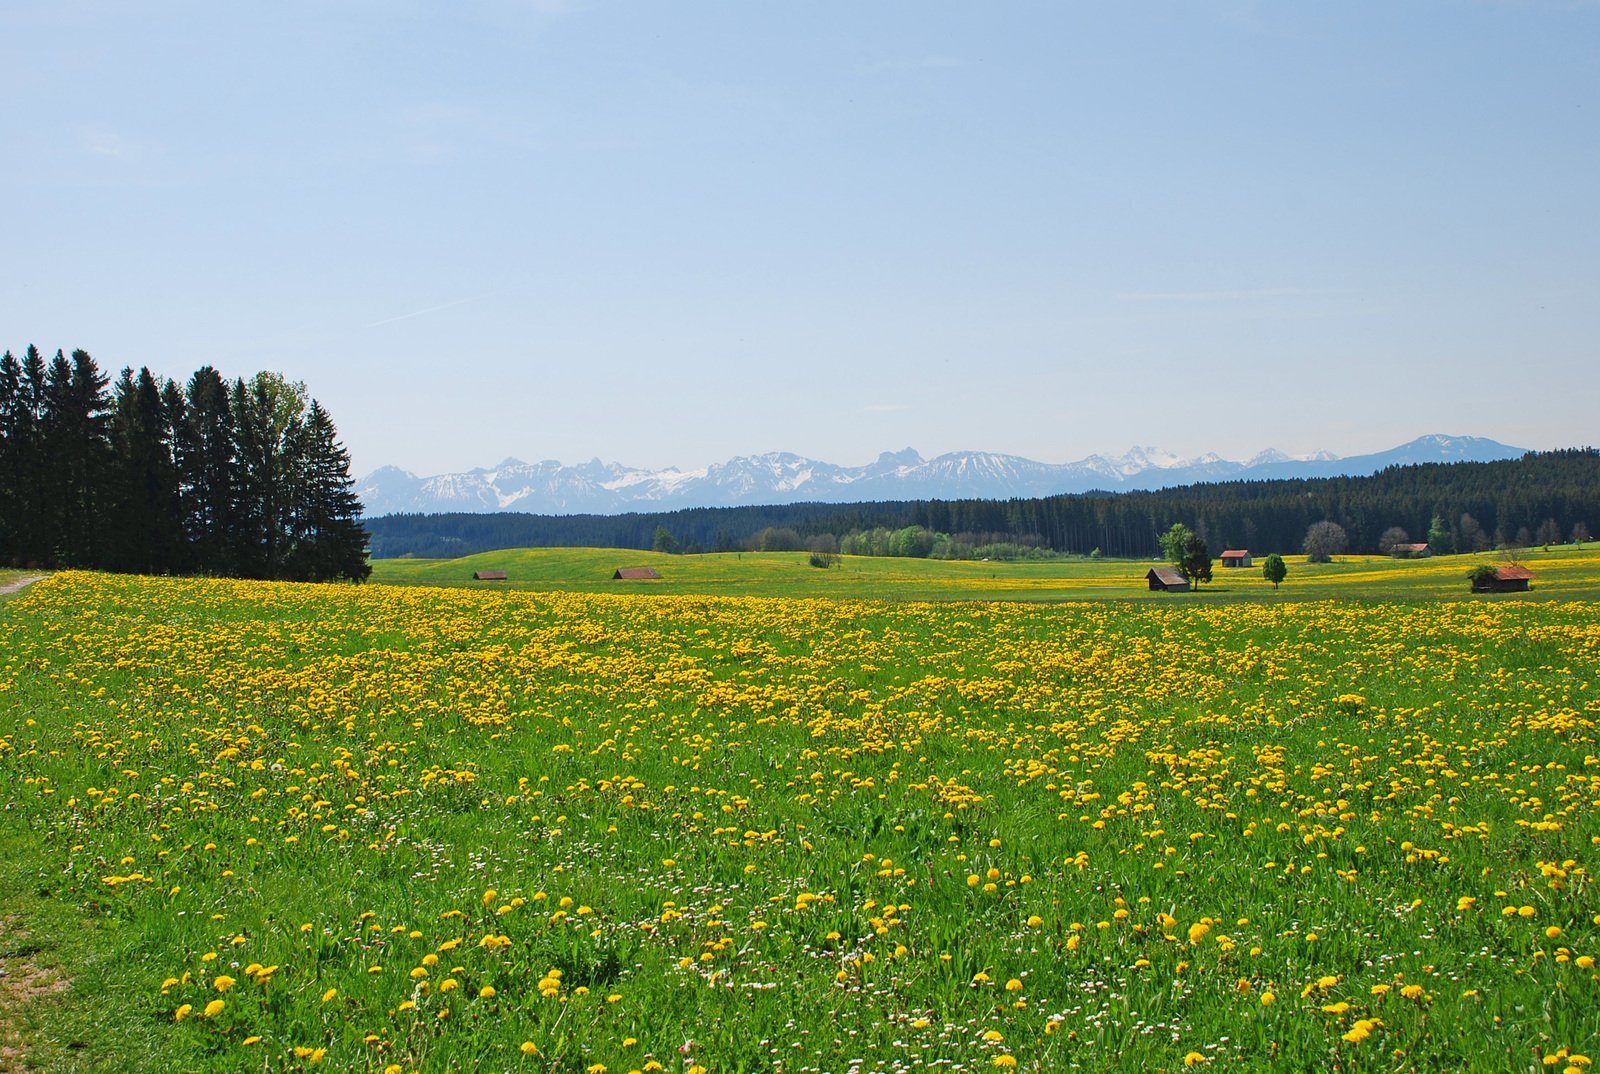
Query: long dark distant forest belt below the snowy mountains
[[1460, 507]]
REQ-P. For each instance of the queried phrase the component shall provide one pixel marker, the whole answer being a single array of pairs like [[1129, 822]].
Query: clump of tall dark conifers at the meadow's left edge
[[148, 476]]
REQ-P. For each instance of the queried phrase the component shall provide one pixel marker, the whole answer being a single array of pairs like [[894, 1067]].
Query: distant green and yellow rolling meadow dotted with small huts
[[1562, 574]]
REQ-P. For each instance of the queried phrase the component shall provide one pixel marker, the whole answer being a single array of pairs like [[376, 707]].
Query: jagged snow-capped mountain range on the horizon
[[780, 479]]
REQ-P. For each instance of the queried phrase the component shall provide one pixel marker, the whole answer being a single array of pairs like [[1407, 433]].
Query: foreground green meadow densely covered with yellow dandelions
[[441, 830]]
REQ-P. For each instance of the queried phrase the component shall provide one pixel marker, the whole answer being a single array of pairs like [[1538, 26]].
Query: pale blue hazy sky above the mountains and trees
[[668, 234]]
